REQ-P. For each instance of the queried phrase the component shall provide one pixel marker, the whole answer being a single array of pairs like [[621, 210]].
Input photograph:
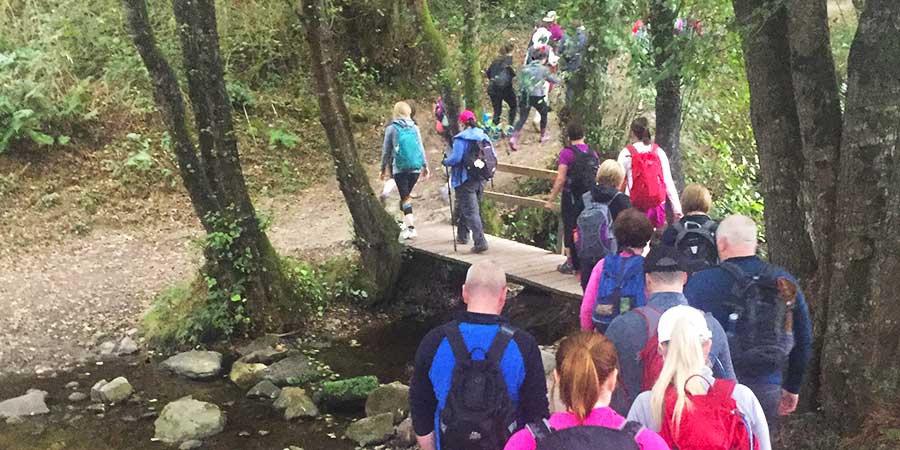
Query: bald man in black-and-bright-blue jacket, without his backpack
[[484, 293]]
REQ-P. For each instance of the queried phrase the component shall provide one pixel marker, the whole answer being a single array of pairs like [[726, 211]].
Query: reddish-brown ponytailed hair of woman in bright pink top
[[585, 360]]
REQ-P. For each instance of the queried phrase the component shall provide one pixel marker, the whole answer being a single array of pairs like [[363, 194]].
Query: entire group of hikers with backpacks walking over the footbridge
[[688, 340]]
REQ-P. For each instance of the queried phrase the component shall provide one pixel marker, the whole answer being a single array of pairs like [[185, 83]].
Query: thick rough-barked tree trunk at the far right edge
[[861, 357]]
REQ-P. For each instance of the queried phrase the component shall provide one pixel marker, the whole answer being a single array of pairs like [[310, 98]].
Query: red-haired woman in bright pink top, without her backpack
[[586, 374]]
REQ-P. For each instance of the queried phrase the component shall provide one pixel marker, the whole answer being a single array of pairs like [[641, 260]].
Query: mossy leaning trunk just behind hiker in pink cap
[[440, 60]]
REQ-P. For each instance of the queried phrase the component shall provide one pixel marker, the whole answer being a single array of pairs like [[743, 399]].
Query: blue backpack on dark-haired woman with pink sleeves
[[621, 289]]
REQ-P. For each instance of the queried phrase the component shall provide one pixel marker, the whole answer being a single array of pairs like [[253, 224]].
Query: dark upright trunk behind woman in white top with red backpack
[[668, 88]]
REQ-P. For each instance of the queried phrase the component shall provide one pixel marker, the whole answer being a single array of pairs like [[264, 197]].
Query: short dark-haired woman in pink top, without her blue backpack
[[632, 230]]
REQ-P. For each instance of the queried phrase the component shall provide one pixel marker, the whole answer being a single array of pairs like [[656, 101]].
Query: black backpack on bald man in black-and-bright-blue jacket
[[478, 414]]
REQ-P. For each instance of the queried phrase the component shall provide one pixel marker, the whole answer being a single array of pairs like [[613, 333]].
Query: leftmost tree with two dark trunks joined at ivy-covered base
[[248, 266]]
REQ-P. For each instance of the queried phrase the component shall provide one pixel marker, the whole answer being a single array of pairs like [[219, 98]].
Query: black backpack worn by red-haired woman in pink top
[[585, 437]]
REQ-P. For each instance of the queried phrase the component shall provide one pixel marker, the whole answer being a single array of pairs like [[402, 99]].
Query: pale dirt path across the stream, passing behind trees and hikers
[[64, 299]]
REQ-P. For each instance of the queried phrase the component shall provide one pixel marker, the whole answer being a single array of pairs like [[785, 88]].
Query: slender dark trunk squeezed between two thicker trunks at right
[[819, 114]]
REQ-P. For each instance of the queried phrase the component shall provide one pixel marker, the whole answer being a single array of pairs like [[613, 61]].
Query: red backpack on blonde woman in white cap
[[711, 422]]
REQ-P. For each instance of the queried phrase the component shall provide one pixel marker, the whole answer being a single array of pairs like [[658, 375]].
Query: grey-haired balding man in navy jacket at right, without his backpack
[[712, 290]]
